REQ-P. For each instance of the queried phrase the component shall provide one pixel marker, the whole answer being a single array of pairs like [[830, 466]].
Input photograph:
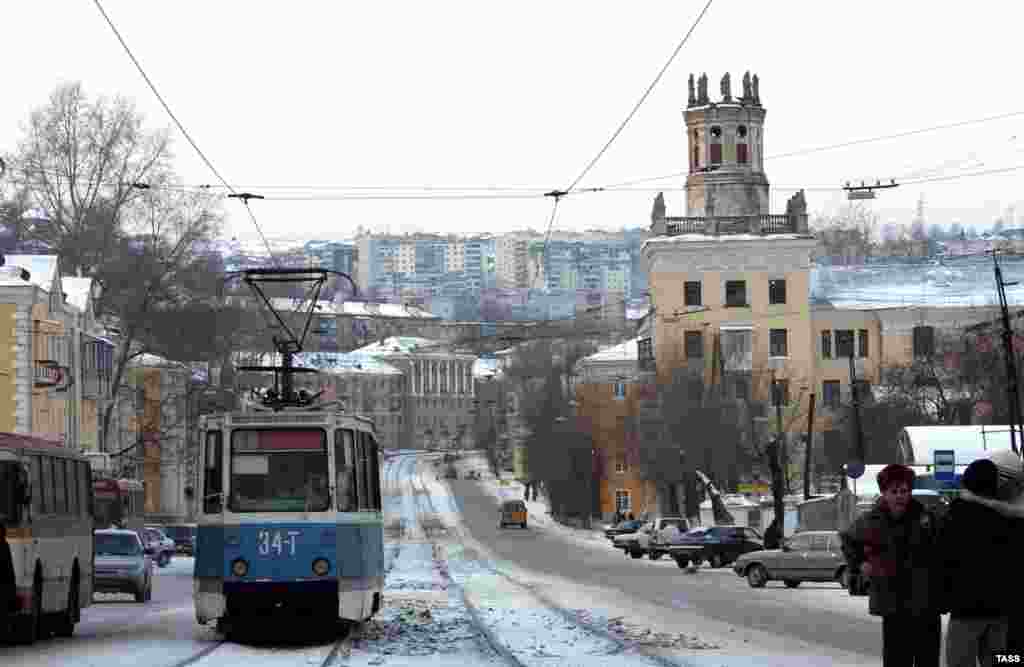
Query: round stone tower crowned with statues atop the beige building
[[726, 146]]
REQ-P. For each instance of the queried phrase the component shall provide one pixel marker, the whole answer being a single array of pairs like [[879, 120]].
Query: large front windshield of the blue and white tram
[[279, 471]]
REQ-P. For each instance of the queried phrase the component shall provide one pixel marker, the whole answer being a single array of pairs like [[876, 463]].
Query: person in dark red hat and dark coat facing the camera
[[894, 546]]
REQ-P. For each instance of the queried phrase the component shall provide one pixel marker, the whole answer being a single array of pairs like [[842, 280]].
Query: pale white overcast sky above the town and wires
[[472, 96]]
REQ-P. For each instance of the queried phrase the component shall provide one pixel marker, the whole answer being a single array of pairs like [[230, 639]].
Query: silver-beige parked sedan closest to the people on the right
[[815, 556]]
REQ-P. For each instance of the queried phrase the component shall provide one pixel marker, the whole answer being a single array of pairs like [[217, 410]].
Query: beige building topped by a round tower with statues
[[731, 285]]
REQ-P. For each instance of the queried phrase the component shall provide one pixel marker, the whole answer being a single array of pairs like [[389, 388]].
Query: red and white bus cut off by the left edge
[[47, 505]]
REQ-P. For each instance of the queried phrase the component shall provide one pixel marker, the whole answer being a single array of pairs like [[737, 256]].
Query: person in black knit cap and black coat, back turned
[[975, 539]]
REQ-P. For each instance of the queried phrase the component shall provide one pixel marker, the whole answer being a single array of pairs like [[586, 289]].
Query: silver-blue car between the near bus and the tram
[[122, 566]]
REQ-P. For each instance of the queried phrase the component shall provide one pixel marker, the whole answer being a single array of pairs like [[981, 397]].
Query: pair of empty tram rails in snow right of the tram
[[457, 532]]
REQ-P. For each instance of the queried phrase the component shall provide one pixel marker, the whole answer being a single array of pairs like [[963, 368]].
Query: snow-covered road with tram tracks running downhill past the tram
[[461, 592]]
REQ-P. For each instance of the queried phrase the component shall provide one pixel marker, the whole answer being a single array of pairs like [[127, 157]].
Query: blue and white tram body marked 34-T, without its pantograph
[[291, 518]]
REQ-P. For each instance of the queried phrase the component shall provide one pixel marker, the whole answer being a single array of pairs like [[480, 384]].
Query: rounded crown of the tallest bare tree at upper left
[[83, 163]]
